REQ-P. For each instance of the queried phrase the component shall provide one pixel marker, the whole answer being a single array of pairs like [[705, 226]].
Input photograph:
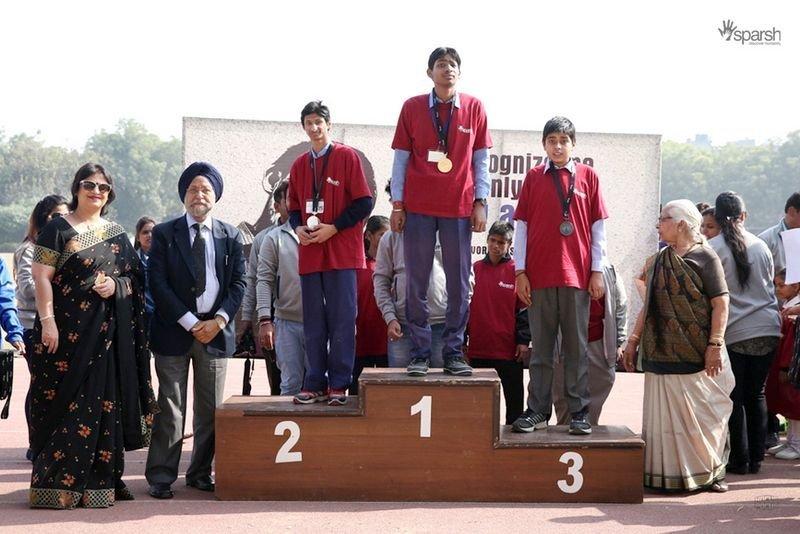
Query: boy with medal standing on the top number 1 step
[[440, 180]]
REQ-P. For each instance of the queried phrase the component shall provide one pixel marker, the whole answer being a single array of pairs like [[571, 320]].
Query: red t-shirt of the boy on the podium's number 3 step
[[553, 260]]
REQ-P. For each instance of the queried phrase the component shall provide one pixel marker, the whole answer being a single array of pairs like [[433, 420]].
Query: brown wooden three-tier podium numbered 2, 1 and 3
[[436, 438]]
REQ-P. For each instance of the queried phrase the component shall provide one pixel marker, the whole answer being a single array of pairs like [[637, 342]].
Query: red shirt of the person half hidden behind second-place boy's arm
[[371, 329]]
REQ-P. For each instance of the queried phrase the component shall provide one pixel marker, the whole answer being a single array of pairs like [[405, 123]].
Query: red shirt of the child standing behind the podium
[[493, 311]]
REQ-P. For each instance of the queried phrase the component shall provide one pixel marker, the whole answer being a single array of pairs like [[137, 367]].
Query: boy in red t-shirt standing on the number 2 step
[[328, 201]]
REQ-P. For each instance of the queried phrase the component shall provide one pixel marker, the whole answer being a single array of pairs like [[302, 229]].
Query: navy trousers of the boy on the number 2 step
[[329, 327]]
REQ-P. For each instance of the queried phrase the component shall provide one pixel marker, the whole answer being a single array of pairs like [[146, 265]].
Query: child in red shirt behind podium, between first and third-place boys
[[499, 332]]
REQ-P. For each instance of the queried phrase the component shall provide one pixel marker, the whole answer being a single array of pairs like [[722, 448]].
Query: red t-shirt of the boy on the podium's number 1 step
[[427, 190]]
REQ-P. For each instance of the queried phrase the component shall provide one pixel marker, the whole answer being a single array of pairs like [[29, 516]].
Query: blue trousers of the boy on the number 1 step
[[419, 242]]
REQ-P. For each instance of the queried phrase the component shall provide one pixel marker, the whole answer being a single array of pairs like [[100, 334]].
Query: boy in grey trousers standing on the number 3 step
[[559, 255]]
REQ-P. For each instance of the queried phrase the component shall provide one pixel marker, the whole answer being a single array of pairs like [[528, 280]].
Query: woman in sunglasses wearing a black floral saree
[[90, 380]]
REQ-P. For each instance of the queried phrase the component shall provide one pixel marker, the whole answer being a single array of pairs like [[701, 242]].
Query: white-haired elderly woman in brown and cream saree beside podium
[[680, 335]]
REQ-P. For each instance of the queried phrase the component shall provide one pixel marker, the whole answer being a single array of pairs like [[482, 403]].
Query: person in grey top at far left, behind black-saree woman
[[45, 210]]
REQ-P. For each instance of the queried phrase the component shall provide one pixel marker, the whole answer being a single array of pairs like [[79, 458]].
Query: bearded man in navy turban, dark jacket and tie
[[197, 281]]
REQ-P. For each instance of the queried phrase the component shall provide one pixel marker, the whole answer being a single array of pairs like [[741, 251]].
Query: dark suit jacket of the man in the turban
[[172, 280]]
